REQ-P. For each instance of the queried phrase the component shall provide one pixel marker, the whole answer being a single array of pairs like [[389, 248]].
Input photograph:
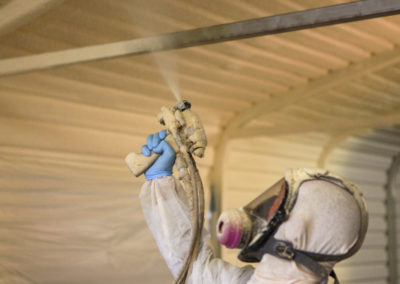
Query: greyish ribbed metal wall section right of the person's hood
[[365, 160]]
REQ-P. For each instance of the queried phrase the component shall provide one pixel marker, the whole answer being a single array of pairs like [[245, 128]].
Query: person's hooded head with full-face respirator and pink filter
[[309, 217]]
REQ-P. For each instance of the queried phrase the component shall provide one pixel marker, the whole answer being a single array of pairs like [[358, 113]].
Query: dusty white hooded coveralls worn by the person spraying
[[168, 218]]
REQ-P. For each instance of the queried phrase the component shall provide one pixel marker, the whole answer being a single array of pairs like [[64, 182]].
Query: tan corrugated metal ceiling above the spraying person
[[225, 78]]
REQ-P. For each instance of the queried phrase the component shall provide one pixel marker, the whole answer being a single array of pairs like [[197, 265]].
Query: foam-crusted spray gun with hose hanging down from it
[[186, 136]]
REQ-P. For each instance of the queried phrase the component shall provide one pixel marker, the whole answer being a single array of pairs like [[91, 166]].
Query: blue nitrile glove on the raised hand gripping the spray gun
[[163, 165]]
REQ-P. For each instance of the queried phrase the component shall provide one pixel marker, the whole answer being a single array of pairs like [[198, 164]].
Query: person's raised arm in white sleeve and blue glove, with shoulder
[[168, 217]]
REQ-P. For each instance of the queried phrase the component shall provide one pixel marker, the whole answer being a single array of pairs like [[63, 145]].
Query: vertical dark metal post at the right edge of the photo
[[390, 188]]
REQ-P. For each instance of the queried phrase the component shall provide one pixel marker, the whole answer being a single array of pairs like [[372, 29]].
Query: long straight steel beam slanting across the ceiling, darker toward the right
[[312, 18]]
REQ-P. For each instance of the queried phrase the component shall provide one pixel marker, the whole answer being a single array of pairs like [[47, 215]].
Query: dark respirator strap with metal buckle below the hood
[[285, 250]]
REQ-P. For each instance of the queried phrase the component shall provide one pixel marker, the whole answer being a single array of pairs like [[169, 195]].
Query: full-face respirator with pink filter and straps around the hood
[[252, 227]]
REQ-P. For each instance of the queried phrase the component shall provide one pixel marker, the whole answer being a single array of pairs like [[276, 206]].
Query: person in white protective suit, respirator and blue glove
[[297, 230]]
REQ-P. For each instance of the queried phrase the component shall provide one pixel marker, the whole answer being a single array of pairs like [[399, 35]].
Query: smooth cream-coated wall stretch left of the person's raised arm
[[72, 219]]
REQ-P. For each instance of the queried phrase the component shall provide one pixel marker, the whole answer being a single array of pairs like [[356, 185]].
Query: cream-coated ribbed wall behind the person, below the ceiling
[[70, 213]]
